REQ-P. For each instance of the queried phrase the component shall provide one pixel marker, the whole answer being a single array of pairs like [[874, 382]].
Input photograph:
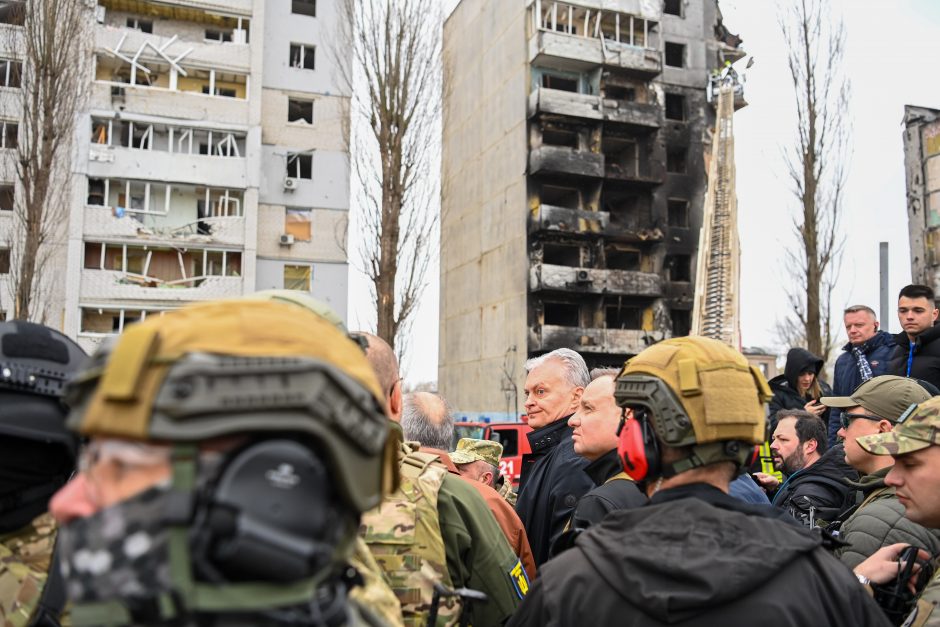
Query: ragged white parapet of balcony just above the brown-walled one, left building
[[101, 224]]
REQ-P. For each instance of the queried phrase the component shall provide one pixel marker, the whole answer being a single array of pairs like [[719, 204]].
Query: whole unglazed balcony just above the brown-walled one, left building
[[164, 211]]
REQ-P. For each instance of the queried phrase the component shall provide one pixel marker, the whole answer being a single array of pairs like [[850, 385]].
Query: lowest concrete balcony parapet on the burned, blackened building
[[592, 340]]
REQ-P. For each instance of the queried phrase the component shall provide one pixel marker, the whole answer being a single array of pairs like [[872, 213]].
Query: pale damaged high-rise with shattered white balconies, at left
[[211, 160]]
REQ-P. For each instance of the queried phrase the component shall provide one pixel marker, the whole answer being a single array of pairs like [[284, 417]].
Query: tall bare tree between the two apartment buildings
[[390, 61]]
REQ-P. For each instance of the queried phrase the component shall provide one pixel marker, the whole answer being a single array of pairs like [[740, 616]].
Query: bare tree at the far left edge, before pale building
[[52, 40]]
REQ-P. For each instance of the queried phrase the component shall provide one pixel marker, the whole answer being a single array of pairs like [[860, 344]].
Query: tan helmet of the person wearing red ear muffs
[[701, 393]]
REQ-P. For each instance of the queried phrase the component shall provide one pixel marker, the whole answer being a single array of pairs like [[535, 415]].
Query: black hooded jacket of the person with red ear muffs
[[696, 556]]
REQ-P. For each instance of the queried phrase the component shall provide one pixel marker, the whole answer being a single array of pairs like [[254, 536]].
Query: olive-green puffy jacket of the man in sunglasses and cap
[[879, 521]]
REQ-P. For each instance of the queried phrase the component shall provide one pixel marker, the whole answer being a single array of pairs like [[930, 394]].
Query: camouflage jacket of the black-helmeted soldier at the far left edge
[[24, 565]]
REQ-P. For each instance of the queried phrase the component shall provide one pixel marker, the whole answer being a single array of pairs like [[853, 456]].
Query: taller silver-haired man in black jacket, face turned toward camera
[[552, 478]]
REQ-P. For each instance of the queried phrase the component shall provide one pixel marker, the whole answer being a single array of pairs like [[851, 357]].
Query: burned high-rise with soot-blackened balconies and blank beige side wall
[[574, 175]]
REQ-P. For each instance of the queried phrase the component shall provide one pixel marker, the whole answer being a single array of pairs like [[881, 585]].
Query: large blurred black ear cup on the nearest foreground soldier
[[273, 514]]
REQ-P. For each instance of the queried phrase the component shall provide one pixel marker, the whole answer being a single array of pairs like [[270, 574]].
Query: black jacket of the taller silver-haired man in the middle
[[550, 484]]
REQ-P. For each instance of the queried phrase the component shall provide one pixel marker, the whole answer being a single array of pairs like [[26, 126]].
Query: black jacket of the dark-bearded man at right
[[822, 487]]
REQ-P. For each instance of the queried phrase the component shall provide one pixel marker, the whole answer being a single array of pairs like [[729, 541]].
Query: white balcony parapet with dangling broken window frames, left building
[[220, 57]]
